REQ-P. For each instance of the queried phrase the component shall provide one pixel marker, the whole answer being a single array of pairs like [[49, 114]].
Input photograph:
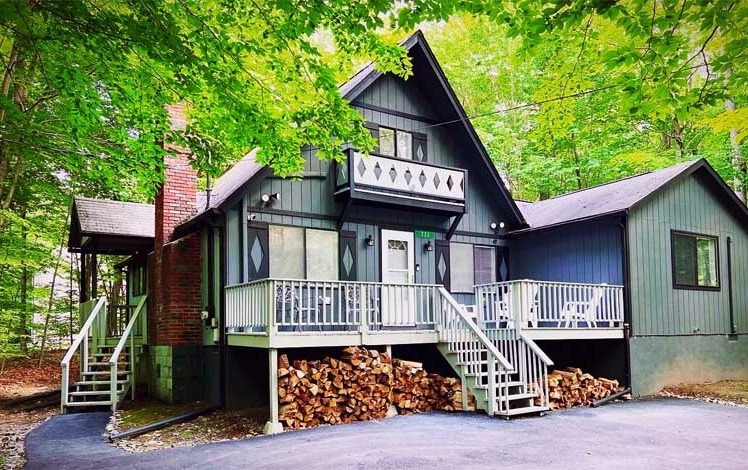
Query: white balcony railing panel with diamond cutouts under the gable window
[[375, 173]]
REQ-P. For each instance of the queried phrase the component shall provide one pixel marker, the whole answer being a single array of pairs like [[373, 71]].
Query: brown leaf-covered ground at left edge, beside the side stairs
[[21, 378]]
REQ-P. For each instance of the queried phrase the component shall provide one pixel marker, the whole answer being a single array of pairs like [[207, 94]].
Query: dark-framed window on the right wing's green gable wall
[[695, 261]]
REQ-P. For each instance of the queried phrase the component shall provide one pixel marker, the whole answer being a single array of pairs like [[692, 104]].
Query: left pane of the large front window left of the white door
[[286, 252]]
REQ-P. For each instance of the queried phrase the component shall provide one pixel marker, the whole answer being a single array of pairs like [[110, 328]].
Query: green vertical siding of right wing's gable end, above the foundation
[[659, 309]]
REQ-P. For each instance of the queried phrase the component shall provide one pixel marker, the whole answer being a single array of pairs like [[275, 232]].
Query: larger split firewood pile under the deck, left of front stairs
[[361, 385]]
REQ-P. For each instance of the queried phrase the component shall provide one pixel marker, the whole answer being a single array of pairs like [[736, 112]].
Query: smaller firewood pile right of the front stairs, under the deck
[[572, 387]]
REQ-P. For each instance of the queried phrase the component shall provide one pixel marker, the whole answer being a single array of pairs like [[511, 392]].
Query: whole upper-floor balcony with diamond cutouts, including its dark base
[[401, 182]]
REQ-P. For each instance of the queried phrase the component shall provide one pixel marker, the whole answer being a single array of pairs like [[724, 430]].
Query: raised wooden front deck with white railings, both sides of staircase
[[287, 313]]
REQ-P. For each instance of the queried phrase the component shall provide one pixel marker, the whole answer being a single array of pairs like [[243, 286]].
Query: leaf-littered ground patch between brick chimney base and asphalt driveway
[[213, 427]]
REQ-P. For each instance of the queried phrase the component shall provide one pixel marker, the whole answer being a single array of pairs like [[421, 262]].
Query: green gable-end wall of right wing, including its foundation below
[[682, 335]]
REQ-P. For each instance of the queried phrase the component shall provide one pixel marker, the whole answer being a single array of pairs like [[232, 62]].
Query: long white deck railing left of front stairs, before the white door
[[289, 305]]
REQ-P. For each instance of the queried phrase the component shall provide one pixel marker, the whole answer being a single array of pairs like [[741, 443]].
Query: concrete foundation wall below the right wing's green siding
[[667, 360]]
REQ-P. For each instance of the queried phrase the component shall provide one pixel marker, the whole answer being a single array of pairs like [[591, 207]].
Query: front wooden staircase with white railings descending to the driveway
[[506, 373]]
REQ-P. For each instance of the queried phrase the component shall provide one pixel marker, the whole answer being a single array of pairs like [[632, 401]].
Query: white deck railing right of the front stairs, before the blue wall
[[530, 304]]
